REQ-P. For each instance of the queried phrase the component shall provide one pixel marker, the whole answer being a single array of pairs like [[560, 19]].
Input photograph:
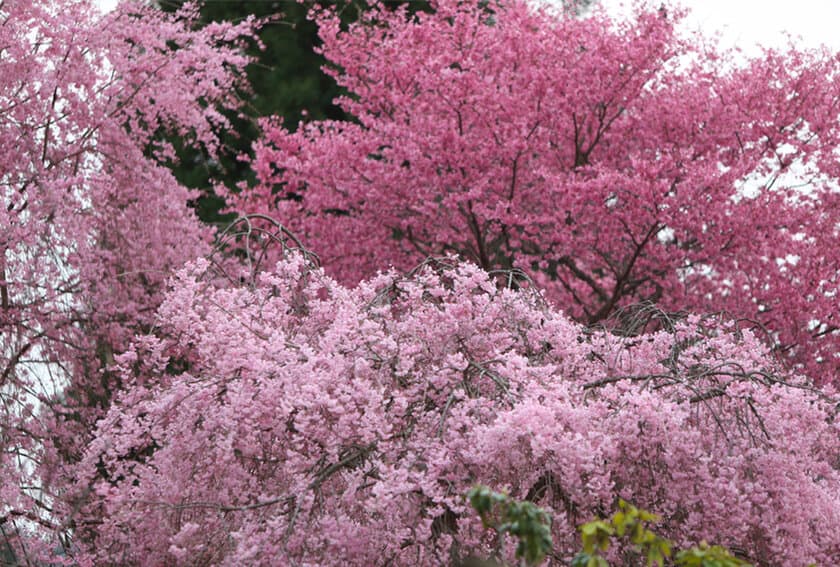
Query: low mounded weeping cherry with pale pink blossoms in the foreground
[[298, 422]]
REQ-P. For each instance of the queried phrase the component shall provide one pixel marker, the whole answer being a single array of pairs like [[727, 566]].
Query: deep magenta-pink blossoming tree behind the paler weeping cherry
[[617, 160]]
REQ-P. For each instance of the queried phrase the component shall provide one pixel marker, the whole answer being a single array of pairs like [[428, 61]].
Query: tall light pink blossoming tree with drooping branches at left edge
[[90, 226]]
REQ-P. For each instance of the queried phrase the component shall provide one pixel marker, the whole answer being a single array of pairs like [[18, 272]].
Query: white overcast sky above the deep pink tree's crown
[[746, 23]]
